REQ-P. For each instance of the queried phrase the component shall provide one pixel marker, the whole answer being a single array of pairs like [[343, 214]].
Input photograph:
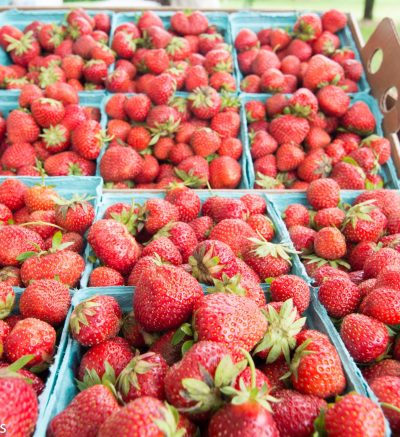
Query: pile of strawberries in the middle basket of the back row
[[192, 53]]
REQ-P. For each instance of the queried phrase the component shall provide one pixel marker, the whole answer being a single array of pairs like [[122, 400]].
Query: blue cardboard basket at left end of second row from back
[[9, 102]]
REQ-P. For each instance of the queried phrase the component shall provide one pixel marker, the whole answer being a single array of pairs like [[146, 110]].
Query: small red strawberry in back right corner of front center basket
[[291, 287]]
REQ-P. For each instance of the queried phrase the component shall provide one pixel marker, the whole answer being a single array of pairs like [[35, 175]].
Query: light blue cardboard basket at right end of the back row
[[257, 21]]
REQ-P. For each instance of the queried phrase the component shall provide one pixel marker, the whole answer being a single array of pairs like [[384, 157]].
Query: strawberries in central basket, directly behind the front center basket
[[233, 236]]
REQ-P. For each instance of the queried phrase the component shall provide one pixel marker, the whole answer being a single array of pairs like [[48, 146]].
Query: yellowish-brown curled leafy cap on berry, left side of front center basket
[[139, 365]]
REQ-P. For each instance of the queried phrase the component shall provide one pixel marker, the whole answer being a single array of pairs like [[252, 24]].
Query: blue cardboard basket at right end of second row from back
[[388, 170]]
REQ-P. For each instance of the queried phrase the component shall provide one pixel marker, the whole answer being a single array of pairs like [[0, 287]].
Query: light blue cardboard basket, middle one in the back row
[[216, 18]]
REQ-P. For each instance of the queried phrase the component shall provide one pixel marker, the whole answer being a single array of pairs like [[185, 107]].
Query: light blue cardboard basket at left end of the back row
[[22, 18]]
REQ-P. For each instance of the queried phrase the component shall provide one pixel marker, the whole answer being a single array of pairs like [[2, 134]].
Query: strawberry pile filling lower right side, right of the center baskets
[[352, 252]]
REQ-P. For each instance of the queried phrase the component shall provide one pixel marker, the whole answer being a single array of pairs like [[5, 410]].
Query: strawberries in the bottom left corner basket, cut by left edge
[[27, 348]]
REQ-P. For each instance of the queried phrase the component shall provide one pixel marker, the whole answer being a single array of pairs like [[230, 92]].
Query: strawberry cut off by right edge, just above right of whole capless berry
[[382, 304]]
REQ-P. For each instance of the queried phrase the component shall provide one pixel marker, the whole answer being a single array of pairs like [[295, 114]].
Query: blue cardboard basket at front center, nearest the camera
[[65, 389]]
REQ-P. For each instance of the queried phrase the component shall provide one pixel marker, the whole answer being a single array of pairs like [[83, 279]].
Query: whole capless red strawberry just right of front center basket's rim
[[364, 337]]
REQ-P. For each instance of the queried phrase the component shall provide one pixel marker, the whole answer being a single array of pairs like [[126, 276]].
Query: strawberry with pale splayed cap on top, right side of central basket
[[268, 259]]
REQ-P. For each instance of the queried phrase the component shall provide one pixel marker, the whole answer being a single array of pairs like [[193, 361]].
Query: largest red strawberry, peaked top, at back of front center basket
[[175, 296]]
